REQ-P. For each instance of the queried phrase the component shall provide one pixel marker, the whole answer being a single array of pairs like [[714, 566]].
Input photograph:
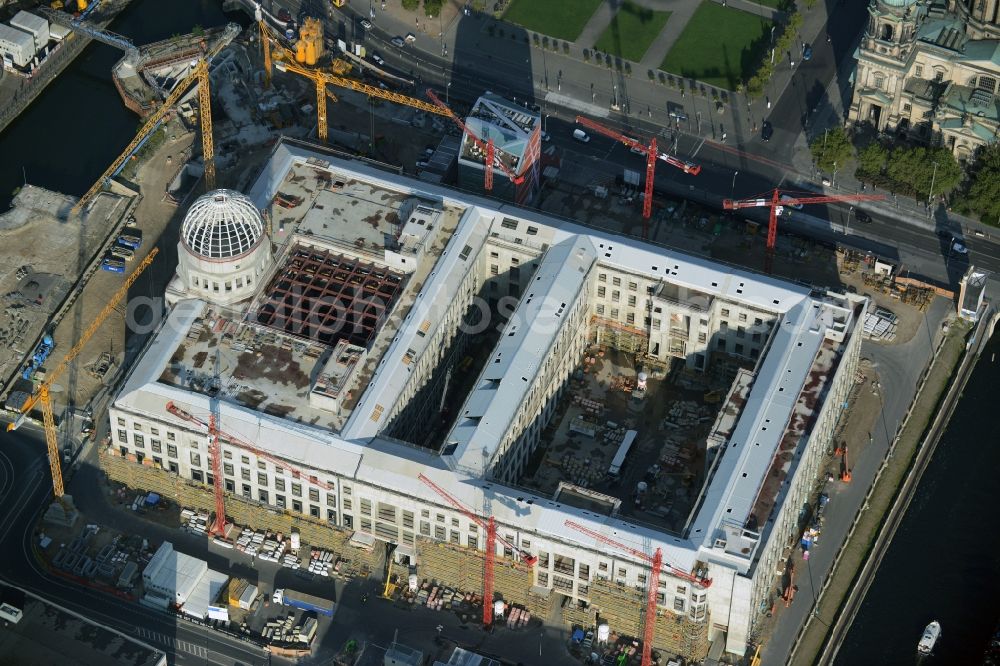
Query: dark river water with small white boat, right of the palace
[[944, 562]]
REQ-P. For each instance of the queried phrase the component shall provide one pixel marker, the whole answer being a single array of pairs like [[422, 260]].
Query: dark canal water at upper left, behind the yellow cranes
[[79, 125]]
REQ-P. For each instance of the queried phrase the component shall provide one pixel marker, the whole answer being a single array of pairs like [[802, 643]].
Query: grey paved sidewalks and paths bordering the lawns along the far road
[[587, 87]]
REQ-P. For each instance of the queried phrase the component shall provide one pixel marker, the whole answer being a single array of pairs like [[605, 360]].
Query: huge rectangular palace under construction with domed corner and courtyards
[[375, 351]]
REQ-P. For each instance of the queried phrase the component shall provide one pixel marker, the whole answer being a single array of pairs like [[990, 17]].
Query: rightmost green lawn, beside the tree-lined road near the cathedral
[[720, 46]]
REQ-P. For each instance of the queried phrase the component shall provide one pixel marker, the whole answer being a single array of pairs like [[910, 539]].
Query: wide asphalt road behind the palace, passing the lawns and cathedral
[[742, 167]]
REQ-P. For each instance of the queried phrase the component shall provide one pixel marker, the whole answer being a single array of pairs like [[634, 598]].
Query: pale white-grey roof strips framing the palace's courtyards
[[810, 332]]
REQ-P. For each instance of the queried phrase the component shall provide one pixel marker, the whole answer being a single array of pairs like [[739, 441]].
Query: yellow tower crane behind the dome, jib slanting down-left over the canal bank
[[198, 75]]
